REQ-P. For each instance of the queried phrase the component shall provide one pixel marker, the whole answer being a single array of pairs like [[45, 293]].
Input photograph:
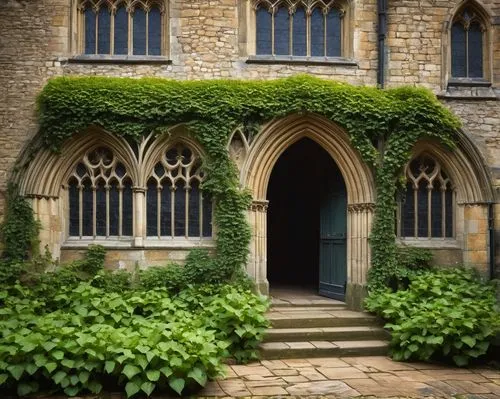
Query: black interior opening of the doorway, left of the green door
[[297, 184]]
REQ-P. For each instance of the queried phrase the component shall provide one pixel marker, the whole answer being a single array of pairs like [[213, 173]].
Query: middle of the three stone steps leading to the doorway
[[350, 333]]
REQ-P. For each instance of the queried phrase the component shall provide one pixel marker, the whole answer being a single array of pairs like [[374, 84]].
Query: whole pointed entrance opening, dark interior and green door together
[[307, 221]]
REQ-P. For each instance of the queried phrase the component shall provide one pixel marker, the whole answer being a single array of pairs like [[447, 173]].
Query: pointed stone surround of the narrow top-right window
[[483, 16]]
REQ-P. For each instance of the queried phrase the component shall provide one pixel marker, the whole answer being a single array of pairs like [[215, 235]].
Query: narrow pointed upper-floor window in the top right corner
[[467, 44]]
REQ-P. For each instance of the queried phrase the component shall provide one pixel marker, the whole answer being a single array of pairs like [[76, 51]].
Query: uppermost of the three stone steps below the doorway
[[313, 318]]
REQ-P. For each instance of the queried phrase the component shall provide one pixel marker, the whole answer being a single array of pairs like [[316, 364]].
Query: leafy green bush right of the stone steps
[[446, 313]]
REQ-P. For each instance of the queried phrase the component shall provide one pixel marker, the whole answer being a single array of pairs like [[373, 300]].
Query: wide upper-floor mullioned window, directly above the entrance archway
[[299, 28]]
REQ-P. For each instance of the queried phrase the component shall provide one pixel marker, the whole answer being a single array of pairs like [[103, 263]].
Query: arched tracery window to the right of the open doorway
[[427, 208]]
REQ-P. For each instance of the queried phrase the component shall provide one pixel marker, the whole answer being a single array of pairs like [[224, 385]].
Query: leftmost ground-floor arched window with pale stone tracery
[[100, 197]]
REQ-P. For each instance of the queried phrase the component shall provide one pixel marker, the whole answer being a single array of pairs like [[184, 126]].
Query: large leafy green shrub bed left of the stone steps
[[142, 341]]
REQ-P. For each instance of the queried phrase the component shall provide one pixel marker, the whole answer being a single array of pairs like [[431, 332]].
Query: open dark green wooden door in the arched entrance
[[333, 227]]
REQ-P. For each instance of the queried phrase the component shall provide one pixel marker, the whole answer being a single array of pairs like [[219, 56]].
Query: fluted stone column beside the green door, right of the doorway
[[359, 225]]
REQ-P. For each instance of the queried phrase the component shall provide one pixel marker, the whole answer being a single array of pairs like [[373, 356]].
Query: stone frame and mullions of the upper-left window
[[77, 49]]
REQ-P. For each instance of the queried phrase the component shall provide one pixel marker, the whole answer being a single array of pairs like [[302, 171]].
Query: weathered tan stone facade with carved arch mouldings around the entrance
[[217, 39]]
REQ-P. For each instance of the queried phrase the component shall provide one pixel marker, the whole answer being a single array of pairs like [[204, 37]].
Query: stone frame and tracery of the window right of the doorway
[[438, 173]]
